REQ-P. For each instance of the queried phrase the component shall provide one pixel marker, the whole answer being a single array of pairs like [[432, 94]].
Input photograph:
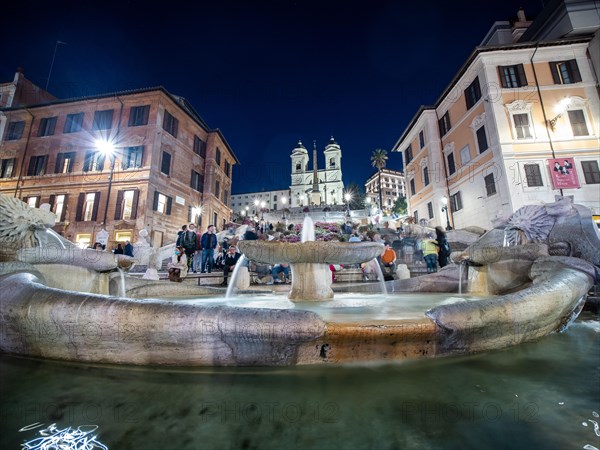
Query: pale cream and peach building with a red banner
[[494, 140]]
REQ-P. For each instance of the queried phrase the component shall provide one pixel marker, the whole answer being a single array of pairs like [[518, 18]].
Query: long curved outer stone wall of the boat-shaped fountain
[[40, 321]]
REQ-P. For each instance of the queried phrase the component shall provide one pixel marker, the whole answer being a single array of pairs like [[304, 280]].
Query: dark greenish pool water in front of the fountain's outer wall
[[536, 395]]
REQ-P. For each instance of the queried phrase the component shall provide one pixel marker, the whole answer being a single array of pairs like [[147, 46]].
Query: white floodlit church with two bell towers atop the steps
[[316, 187]]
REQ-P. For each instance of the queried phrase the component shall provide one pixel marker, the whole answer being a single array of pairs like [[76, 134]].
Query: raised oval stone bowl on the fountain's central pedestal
[[318, 252]]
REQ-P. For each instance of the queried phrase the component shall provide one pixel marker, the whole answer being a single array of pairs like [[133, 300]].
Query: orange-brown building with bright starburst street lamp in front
[[117, 163]]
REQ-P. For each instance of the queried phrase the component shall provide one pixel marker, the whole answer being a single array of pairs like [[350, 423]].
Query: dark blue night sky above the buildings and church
[[267, 73]]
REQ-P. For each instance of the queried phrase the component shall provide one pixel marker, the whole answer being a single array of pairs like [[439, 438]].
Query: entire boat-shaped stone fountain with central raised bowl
[[64, 303]]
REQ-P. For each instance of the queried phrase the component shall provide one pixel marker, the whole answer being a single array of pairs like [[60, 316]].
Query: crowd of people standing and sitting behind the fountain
[[204, 252]]
